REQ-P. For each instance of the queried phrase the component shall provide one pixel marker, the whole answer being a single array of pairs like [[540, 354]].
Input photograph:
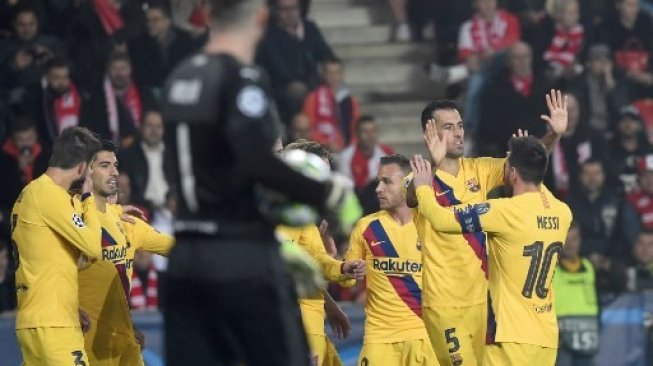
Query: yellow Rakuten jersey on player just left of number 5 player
[[394, 278]]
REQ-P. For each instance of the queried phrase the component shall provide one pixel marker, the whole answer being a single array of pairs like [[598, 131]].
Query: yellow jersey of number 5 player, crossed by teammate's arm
[[454, 274]]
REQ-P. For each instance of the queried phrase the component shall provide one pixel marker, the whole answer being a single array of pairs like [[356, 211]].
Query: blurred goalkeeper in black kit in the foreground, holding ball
[[228, 299]]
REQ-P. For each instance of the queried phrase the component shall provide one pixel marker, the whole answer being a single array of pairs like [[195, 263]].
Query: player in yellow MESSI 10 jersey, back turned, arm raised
[[525, 237]]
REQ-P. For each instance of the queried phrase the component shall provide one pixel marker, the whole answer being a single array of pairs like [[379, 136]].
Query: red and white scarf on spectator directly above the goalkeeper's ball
[[326, 128]]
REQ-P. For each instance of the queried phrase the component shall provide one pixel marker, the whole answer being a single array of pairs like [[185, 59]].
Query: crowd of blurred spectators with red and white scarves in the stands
[[103, 63]]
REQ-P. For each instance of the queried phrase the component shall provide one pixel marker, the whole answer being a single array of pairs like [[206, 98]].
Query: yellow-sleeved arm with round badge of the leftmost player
[[82, 232]]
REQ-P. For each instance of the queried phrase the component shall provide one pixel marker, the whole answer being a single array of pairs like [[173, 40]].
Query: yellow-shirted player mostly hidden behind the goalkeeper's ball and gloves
[[310, 239]]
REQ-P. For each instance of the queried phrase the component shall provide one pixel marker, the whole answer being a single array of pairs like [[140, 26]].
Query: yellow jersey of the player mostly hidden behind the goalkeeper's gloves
[[308, 237]]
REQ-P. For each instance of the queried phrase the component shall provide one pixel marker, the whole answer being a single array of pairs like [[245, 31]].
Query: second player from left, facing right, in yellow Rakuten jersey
[[104, 285]]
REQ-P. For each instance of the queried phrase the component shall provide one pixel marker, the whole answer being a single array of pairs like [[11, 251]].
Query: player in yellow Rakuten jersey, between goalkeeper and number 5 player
[[387, 240]]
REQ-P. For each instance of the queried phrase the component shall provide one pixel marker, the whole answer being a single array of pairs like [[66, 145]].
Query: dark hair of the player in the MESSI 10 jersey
[[529, 157]]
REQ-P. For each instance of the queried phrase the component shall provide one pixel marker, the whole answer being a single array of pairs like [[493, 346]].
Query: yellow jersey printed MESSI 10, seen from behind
[[526, 234]]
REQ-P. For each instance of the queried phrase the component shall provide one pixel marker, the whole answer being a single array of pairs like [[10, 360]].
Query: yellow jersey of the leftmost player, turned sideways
[[50, 230]]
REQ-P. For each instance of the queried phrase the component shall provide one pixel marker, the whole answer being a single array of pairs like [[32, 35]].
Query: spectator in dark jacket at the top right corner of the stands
[[628, 33]]
